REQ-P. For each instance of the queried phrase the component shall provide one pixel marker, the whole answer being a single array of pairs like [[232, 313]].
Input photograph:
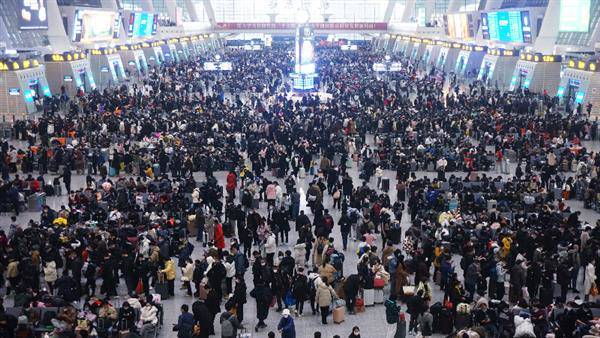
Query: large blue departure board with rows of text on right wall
[[507, 26]]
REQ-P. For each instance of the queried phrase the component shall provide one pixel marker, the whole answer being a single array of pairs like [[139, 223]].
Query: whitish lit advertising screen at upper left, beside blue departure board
[[93, 26]]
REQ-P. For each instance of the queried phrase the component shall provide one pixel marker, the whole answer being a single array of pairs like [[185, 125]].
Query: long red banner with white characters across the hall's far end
[[376, 26]]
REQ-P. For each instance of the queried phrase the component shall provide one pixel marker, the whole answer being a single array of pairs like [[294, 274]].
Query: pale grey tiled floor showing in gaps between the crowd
[[372, 322]]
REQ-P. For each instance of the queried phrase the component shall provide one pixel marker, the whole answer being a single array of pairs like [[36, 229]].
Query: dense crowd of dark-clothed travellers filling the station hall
[[438, 250]]
